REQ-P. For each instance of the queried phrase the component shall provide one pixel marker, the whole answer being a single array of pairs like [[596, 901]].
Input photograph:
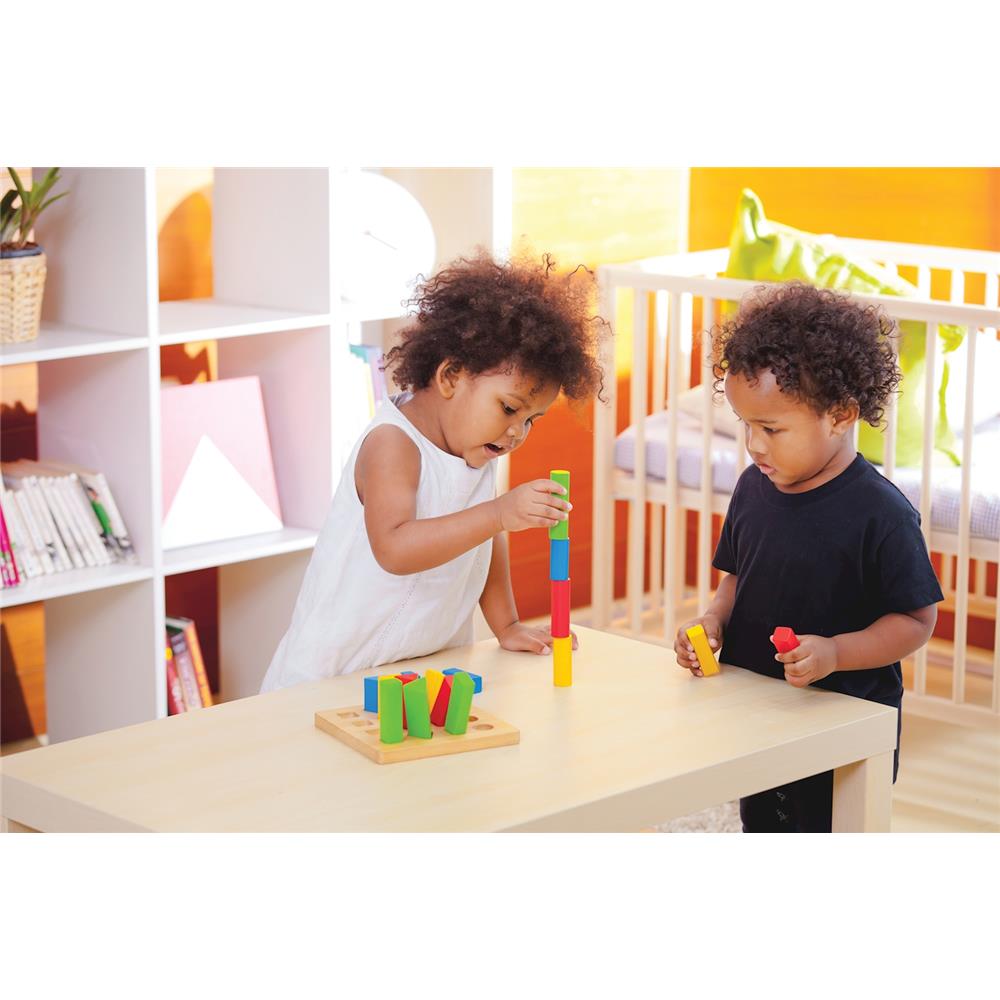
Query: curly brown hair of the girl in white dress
[[485, 314]]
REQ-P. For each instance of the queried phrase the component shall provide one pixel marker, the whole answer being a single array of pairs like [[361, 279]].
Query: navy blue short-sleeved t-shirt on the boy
[[833, 559]]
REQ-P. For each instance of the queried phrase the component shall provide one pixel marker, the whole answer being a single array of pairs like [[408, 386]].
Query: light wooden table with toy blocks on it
[[634, 742]]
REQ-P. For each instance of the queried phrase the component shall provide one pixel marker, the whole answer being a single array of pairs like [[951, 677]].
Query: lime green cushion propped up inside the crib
[[761, 250]]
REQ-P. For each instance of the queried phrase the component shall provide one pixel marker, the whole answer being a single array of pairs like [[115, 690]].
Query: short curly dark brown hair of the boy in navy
[[824, 348]]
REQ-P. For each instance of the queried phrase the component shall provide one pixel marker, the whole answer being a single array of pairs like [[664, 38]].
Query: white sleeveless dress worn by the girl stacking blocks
[[350, 613]]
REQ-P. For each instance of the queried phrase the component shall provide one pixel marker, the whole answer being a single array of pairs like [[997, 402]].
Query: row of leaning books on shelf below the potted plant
[[57, 516]]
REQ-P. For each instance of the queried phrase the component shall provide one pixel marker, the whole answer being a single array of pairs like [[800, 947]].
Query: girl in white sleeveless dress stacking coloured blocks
[[416, 536]]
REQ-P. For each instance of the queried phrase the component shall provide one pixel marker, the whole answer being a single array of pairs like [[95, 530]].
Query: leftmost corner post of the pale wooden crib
[[602, 559]]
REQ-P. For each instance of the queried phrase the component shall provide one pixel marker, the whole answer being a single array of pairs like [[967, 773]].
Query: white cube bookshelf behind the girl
[[276, 314]]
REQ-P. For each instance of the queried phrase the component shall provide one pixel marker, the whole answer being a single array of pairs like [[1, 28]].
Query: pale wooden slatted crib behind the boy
[[949, 680]]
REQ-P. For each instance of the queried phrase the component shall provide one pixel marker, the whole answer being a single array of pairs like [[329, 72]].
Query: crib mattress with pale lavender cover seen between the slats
[[946, 480]]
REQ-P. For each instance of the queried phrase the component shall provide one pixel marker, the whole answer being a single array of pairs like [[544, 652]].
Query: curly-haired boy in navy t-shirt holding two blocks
[[815, 538]]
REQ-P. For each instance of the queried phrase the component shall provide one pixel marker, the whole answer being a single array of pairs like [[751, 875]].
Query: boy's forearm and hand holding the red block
[[886, 640]]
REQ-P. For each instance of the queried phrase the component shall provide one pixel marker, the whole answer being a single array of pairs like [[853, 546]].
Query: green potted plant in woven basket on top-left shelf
[[22, 263]]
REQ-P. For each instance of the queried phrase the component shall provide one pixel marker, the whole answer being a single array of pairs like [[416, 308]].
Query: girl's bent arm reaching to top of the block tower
[[387, 473]]
